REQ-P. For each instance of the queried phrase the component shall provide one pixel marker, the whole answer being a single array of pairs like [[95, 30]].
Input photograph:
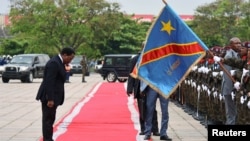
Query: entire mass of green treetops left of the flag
[[91, 27]]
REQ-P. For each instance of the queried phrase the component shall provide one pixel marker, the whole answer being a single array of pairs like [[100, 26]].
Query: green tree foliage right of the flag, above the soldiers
[[217, 22]]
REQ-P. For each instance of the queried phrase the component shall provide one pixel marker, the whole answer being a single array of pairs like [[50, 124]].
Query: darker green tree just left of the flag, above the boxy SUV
[[129, 37]]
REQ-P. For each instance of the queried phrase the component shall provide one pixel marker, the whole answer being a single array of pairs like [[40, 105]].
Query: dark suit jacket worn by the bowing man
[[52, 86]]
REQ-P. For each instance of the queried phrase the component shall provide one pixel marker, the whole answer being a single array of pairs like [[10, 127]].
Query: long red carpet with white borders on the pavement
[[106, 113]]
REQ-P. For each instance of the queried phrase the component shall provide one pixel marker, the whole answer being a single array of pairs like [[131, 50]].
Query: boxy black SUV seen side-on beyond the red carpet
[[116, 67]]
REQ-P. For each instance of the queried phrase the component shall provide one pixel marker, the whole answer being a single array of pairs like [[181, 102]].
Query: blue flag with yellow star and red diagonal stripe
[[171, 50]]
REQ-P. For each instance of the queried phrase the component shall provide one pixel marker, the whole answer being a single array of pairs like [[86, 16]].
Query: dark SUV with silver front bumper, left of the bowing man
[[25, 67]]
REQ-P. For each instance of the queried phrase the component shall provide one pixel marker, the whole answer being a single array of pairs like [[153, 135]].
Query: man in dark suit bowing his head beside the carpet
[[51, 90]]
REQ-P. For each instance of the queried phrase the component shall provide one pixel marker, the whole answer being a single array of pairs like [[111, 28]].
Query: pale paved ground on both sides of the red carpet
[[20, 113]]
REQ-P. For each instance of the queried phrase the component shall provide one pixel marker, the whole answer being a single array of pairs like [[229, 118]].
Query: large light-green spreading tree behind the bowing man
[[48, 26]]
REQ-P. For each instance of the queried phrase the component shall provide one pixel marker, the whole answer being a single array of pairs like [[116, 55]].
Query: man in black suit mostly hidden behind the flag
[[133, 86]]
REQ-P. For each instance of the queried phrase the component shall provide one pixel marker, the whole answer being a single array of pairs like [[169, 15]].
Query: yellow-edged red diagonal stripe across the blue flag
[[169, 49]]
